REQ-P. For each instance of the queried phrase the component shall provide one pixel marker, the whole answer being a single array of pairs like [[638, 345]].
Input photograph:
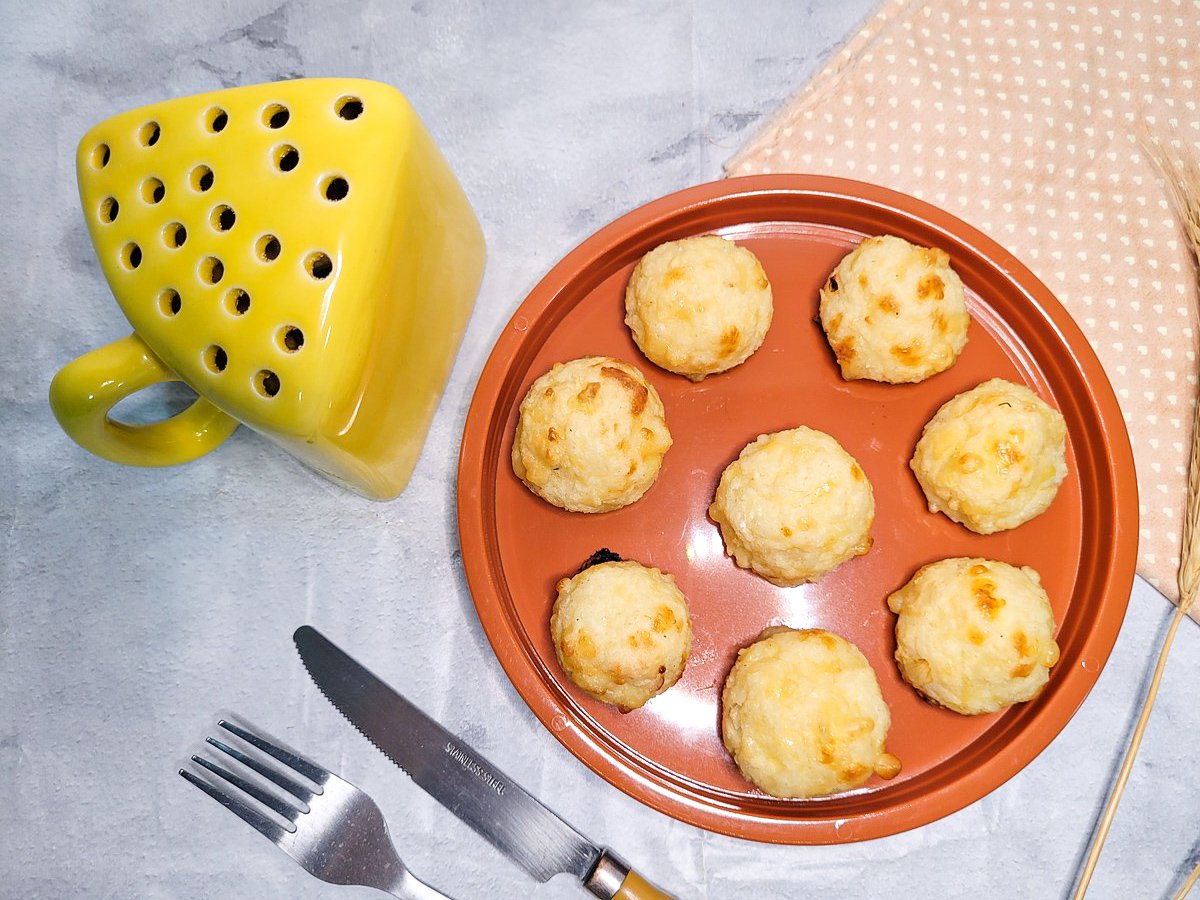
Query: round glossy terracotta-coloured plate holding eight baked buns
[[669, 754]]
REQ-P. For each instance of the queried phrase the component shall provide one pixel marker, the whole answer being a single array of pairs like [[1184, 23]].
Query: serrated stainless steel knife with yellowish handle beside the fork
[[463, 781]]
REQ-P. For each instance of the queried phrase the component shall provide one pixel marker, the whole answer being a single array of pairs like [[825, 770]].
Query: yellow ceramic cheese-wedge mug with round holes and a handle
[[301, 254]]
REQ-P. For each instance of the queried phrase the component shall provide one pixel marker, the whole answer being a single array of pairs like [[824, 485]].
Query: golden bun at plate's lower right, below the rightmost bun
[[975, 635]]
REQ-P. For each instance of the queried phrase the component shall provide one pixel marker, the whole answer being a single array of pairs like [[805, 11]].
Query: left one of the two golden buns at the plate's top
[[699, 307]]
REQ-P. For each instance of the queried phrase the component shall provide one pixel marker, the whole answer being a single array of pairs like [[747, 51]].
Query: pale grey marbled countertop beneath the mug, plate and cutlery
[[137, 604]]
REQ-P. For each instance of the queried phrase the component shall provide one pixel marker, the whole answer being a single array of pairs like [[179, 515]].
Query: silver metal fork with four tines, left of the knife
[[335, 831]]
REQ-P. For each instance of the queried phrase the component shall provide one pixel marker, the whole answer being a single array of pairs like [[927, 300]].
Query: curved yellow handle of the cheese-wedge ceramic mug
[[86, 391]]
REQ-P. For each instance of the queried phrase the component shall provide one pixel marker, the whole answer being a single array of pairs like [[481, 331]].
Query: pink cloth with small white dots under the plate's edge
[[1019, 117]]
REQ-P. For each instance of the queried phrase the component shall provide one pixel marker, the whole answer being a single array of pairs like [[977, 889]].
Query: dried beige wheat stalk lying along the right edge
[[1181, 175]]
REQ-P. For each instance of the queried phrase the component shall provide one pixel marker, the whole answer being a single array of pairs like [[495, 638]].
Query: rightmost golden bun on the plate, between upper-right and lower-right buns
[[992, 458]]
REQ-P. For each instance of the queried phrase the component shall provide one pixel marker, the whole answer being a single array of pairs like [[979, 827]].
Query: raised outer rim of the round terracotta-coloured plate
[[653, 783]]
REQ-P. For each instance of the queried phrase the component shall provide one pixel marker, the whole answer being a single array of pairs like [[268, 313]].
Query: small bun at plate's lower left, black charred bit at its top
[[621, 632]]
